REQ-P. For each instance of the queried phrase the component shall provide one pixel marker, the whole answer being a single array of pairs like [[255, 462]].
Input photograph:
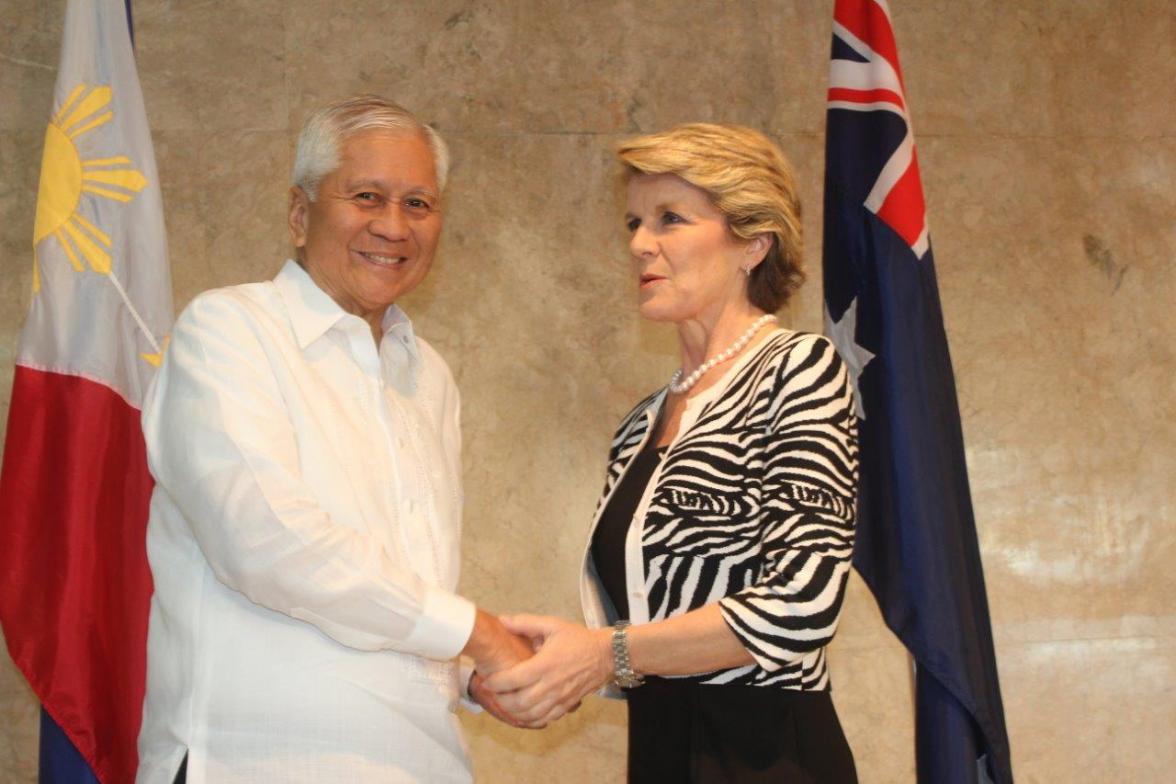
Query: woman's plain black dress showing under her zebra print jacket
[[681, 732]]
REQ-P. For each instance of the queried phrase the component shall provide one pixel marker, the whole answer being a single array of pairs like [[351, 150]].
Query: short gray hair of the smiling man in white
[[326, 131]]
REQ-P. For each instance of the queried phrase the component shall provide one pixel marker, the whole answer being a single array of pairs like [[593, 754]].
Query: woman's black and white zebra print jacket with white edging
[[753, 507]]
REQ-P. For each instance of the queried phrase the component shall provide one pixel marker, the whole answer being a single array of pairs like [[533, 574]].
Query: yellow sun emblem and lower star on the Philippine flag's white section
[[66, 176]]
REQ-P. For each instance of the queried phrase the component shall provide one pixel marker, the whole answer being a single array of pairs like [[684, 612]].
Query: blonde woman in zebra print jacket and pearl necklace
[[718, 560]]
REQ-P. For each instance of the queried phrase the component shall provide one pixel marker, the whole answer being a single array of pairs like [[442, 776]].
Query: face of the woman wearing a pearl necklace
[[687, 264]]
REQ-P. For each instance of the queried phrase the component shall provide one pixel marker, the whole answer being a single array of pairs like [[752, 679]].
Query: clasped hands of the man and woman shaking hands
[[531, 671]]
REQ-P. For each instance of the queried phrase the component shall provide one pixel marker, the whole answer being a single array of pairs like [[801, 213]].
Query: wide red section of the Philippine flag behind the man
[[75, 494]]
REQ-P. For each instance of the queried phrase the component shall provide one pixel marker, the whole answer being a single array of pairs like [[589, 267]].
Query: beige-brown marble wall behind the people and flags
[[1048, 163]]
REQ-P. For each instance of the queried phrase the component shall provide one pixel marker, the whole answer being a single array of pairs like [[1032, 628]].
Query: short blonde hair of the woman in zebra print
[[749, 179]]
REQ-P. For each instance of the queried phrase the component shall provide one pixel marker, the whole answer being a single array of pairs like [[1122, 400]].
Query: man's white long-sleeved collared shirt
[[304, 540]]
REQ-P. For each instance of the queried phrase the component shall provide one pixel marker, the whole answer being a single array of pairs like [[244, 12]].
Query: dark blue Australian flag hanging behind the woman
[[917, 535]]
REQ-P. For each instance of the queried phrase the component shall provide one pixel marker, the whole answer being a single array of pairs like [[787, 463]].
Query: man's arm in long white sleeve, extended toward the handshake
[[222, 445]]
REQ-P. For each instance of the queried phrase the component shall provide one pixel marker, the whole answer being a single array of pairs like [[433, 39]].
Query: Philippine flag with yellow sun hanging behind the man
[[75, 488]]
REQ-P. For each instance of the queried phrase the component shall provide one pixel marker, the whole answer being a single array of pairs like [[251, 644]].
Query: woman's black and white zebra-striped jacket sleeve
[[810, 502]]
